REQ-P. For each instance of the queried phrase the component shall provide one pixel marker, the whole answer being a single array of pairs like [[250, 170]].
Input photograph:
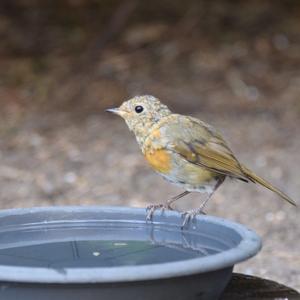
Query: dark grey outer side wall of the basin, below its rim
[[196, 287]]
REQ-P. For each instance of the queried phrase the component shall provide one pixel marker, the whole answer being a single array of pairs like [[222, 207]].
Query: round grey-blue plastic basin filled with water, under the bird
[[113, 253]]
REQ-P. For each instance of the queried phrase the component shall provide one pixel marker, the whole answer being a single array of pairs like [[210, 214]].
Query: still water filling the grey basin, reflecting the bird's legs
[[96, 245]]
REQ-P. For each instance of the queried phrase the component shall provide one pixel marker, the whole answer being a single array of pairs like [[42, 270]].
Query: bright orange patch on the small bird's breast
[[159, 160]]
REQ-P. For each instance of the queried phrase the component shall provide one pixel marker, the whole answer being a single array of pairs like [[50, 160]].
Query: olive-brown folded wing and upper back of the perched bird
[[201, 144]]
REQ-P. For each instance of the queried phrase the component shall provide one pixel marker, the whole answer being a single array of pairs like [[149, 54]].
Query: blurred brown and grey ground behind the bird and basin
[[234, 64]]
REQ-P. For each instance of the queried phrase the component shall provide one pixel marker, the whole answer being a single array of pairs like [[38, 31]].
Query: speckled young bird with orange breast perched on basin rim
[[185, 151]]
